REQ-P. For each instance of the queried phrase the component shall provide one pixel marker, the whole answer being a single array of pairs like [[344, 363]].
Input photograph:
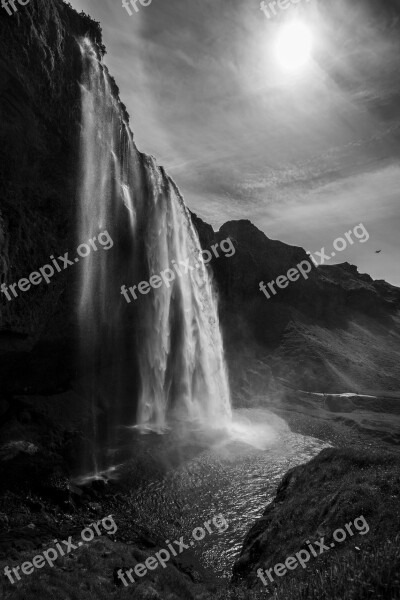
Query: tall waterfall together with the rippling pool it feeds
[[155, 364]]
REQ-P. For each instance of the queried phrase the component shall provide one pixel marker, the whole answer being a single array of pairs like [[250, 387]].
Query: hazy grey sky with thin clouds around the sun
[[305, 152]]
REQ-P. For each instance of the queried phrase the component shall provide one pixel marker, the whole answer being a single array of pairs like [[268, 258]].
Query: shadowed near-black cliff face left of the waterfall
[[40, 69]]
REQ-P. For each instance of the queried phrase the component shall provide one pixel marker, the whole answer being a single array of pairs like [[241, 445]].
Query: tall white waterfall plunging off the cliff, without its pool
[[159, 358]]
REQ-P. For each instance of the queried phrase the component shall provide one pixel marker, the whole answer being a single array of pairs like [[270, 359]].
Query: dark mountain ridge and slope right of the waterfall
[[337, 331]]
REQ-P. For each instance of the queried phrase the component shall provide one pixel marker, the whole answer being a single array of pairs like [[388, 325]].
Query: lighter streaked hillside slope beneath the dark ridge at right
[[360, 355]]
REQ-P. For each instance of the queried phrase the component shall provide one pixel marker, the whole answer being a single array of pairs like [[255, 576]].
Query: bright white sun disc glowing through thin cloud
[[293, 46]]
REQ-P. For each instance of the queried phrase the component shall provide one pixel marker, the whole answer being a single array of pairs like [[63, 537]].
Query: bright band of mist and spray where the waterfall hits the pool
[[250, 430]]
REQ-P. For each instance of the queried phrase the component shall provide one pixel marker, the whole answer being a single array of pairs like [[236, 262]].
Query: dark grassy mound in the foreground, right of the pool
[[314, 500]]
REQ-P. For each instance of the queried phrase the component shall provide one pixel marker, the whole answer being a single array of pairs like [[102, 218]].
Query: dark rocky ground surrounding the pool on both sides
[[38, 503]]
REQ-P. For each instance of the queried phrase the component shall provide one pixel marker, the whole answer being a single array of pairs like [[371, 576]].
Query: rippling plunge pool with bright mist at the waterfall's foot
[[174, 482]]
